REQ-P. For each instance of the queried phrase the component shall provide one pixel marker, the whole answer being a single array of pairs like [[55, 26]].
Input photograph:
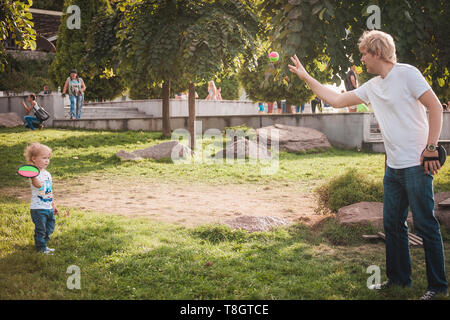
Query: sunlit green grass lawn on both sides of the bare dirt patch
[[123, 258]]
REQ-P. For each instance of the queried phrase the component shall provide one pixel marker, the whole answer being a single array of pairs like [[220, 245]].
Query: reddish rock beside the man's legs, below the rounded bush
[[363, 213]]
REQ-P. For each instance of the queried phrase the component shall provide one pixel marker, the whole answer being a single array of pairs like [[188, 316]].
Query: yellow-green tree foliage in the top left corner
[[16, 24]]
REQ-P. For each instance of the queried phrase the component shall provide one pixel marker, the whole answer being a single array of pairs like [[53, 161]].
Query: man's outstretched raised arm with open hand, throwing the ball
[[332, 98]]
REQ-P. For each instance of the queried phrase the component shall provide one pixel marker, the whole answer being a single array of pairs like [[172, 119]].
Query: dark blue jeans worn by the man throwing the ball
[[404, 189]]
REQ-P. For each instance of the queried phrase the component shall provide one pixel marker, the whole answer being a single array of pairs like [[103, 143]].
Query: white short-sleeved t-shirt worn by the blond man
[[402, 118]]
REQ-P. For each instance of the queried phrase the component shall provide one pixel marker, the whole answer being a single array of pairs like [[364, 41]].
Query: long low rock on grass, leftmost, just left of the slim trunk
[[157, 152]]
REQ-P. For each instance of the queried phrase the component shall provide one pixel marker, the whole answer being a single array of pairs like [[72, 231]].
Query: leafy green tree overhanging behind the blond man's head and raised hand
[[313, 28]]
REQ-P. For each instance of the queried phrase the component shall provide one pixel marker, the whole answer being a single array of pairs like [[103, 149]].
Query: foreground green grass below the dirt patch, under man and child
[[122, 258]]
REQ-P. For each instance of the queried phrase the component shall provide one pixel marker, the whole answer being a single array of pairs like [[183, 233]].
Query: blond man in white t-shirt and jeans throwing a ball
[[397, 96]]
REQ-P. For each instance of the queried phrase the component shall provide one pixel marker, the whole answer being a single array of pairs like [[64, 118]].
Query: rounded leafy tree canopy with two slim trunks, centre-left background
[[177, 43]]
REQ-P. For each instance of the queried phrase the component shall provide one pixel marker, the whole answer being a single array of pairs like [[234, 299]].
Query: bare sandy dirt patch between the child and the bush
[[188, 204]]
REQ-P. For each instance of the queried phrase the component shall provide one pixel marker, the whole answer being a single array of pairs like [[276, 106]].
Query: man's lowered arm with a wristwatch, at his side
[[431, 102]]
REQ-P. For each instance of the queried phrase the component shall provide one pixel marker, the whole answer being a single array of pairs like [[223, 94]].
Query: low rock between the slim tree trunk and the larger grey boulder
[[243, 149]]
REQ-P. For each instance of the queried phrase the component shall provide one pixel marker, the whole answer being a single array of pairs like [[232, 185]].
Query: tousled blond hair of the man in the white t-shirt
[[375, 40]]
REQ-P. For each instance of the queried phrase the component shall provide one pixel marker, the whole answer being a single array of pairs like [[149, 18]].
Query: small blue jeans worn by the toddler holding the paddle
[[44, 225]]
